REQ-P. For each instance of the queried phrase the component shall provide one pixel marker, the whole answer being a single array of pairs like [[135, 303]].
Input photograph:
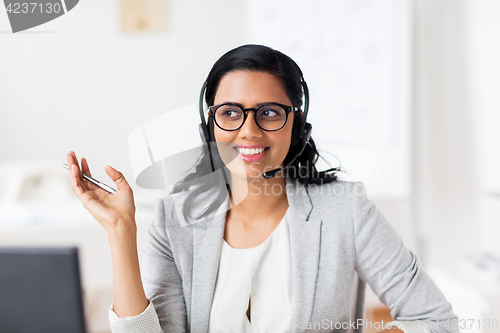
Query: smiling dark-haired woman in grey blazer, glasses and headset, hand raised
[[277, 254]]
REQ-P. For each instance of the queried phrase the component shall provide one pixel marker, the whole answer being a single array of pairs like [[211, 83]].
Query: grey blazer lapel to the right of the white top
[[305, 235]]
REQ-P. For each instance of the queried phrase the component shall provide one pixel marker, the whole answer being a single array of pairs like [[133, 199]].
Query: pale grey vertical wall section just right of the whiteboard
[[444, 165]]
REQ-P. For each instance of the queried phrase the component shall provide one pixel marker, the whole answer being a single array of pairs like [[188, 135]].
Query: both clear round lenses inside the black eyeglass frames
[[269, 117]]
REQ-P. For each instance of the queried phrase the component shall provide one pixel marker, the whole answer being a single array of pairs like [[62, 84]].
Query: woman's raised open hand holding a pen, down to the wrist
[[110, 210]]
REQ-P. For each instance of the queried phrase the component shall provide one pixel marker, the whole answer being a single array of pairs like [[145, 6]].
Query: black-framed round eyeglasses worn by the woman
[[268, 116]]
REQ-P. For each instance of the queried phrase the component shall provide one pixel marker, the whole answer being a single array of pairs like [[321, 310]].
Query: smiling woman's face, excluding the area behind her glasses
[[251, 89]]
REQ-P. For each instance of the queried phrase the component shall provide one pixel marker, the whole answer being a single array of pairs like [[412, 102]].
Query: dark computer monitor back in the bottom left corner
[[40, 290]]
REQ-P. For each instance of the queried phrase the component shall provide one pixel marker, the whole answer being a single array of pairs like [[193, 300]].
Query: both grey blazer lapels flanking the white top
[[208, 235]]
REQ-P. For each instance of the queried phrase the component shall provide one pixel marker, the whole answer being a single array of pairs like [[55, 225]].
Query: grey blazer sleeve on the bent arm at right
[[394, 274]]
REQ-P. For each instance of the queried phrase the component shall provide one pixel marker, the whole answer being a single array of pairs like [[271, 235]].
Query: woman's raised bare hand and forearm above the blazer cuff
[[114, 211]]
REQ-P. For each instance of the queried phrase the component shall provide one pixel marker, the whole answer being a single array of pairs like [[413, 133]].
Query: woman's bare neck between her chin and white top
[[269, 195]]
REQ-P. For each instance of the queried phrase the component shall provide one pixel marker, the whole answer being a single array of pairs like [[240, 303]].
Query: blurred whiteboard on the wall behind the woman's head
[[355, 57]]
